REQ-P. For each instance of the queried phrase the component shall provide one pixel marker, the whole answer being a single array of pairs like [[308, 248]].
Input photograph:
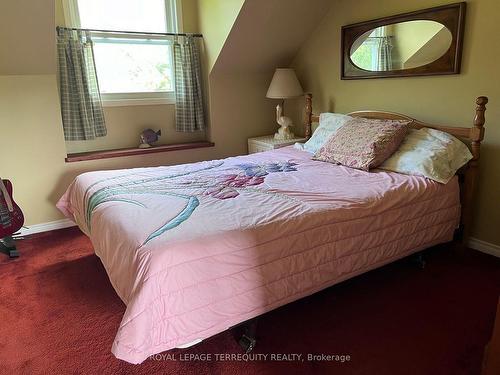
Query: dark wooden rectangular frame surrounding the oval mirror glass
[[452, 16]]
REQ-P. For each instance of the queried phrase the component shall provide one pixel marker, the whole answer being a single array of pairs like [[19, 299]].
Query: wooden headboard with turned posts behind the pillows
[[472, 136]]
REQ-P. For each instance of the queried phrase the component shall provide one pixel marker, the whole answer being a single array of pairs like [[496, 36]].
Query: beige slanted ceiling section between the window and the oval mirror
[[268, 34]]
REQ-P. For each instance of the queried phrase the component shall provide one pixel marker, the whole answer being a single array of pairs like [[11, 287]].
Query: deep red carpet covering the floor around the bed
[[59, 315]]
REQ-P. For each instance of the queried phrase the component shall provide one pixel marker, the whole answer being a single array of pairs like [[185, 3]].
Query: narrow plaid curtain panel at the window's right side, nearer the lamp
[[189, 115]]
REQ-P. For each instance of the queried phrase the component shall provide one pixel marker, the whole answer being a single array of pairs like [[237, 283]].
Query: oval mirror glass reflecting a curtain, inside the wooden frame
[[403, 45]]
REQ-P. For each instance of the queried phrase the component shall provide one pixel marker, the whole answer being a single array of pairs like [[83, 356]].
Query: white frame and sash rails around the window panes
[[173, 21]]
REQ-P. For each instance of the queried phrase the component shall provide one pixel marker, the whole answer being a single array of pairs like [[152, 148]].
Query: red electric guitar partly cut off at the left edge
[[11, 219]]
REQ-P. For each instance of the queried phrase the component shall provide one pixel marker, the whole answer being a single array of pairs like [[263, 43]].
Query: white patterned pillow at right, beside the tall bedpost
[[430, 153]]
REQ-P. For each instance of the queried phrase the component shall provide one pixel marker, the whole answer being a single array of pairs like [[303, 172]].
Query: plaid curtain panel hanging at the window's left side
[[81, 108]]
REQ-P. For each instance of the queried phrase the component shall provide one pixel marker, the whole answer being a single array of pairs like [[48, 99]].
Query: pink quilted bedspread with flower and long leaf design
[[195, 249]]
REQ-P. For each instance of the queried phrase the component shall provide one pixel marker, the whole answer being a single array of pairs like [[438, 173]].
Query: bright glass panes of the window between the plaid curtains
[[131, 68]]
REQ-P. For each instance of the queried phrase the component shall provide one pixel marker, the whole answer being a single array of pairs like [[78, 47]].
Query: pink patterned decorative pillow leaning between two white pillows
[[363, 143]]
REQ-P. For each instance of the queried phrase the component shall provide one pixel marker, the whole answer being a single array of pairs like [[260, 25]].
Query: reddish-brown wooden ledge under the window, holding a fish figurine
[[107, 154]]
